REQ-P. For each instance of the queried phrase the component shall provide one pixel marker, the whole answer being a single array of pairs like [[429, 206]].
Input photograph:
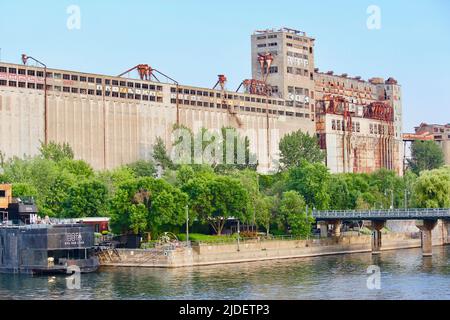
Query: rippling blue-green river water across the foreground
[[404, 274]]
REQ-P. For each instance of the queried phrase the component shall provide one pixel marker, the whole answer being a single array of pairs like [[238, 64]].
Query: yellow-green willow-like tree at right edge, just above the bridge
[[432, 189]]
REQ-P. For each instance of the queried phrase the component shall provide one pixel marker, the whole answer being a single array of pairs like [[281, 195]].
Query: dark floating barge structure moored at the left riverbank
[[33, 246]]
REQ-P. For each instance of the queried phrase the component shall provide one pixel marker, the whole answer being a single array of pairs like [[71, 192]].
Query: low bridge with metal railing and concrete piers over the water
[[426, 220]]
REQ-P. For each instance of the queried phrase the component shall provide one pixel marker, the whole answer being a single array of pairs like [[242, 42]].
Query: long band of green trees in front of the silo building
[[153, 196]]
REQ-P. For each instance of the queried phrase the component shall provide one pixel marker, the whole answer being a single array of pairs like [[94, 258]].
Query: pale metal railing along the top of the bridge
[[382, 214]]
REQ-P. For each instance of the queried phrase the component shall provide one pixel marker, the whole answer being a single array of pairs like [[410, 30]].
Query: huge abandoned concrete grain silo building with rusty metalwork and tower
[[110, 121]]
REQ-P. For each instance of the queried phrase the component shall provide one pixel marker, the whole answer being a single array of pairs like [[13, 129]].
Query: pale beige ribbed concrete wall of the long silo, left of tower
[[108, 132]]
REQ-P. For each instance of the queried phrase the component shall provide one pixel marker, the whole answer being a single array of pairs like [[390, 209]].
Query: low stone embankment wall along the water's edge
[[259, 250]]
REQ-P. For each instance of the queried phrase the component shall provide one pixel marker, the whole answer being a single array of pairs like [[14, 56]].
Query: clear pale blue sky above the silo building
[[193, 41]]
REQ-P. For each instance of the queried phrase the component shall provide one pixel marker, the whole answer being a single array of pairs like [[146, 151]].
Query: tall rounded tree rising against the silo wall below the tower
[[297, 147]]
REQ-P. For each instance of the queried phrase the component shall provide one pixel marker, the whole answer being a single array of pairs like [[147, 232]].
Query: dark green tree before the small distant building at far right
[[425, 155]]
